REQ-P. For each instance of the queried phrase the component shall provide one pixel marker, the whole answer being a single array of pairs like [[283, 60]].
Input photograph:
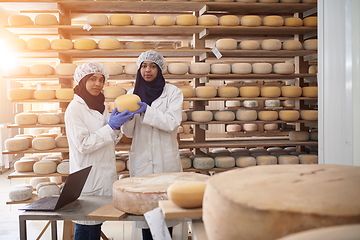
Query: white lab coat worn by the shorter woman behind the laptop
[[91, 142]]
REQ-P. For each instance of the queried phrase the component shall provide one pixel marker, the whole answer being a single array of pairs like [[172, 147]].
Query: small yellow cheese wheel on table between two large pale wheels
[[187, 194]]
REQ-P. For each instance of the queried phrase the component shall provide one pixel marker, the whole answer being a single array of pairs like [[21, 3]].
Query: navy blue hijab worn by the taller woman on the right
[[149, 91]]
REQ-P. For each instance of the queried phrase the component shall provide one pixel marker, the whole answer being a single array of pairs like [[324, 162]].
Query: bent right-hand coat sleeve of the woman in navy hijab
[[169, 120]]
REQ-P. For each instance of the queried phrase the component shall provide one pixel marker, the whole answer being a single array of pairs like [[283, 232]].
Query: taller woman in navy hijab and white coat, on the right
[[154, 147]]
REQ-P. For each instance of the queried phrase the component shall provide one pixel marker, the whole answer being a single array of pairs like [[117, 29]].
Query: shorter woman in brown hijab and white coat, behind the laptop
[[92, 134]]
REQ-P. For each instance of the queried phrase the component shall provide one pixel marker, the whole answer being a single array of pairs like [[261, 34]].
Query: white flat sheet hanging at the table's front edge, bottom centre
[[156, 222]]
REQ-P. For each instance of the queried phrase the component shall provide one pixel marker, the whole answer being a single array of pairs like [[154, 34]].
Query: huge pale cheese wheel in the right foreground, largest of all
[[258, 205]]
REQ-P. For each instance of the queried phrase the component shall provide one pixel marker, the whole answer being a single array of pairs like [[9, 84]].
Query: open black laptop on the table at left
[[71, 191]]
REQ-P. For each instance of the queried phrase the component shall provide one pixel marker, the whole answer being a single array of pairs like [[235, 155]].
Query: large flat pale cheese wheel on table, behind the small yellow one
[[137, 195]]
